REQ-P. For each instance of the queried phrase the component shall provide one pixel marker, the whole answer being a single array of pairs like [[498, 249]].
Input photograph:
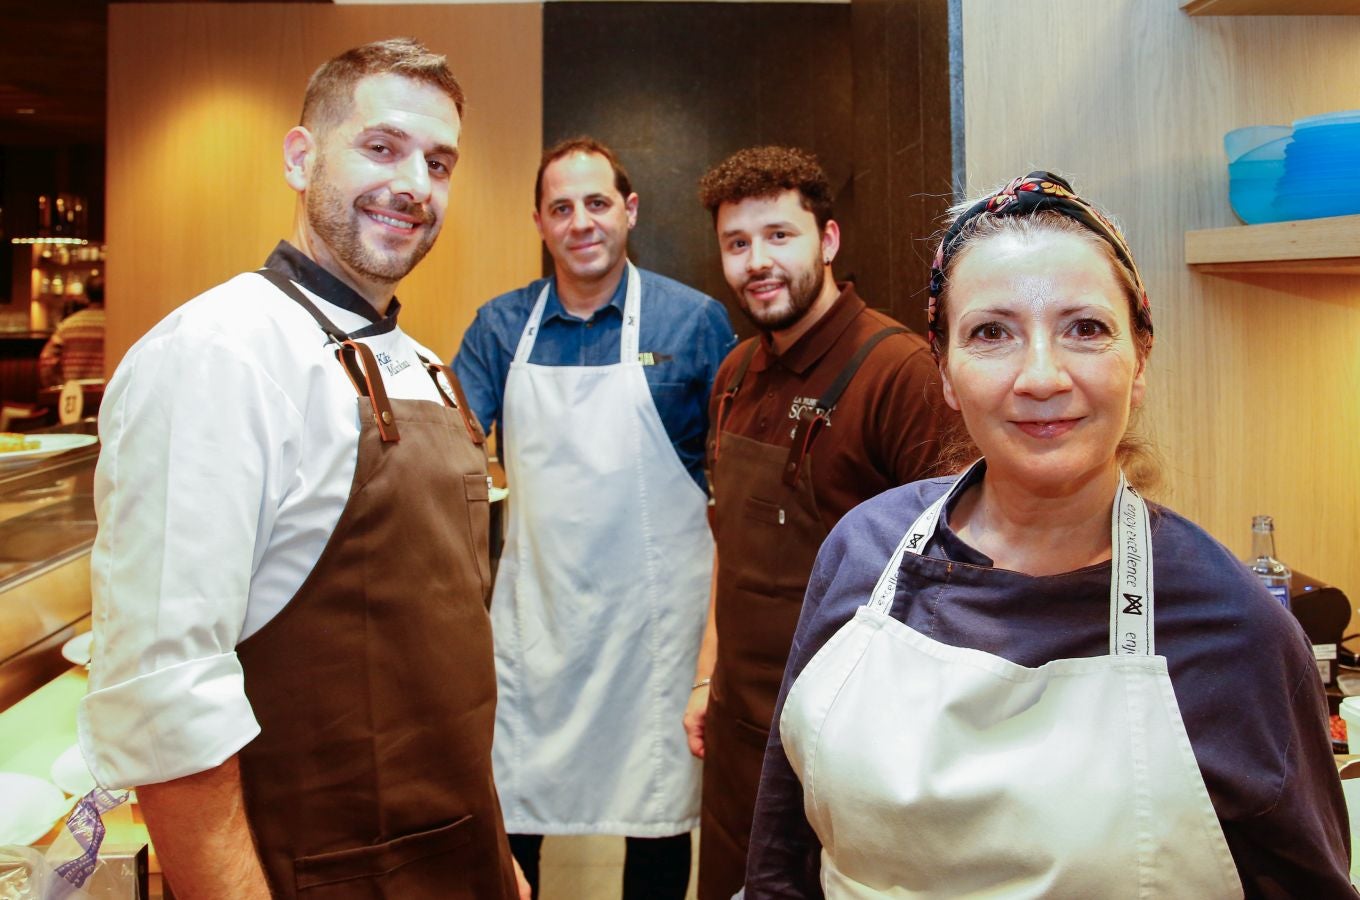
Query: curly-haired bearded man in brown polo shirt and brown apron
[[832, 404]]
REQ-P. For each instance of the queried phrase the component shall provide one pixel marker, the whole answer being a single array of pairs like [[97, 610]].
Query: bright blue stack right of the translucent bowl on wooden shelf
[[1321, 168]]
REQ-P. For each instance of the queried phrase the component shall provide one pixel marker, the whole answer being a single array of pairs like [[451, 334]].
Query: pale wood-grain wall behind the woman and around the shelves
[[1255, 381]]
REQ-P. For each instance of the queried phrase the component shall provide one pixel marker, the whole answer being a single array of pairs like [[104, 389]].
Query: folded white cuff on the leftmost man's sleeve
[[167, 724]]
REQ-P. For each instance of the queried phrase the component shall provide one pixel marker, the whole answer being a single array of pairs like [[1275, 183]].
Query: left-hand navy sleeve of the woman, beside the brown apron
[[784, 859]]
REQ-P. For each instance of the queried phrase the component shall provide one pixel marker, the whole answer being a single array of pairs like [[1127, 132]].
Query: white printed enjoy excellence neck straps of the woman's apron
[[1131, 566]]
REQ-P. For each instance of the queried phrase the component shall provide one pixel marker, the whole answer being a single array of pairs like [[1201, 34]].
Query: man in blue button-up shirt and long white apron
[[598, 381]]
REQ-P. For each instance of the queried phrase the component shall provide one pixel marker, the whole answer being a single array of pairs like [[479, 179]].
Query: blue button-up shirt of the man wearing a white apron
[[686, 332]]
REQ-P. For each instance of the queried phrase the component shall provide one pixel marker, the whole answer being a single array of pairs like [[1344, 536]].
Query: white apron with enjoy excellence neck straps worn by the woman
[[938, 772]]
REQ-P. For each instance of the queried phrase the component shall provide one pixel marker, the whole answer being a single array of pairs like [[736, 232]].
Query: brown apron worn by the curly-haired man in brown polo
[[768, 531]]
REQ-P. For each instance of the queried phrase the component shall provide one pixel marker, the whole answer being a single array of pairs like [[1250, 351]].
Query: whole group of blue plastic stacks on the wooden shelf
[[1309, 171]]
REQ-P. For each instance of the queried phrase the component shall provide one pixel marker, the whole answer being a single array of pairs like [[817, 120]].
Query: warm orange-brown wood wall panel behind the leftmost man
[[201, 99]]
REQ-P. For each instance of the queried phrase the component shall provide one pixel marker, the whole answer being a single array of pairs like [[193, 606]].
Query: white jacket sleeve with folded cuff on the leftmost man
[[199, 445]]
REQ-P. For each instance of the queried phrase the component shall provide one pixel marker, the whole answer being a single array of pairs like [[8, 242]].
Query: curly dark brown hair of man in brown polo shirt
[[768, 172]]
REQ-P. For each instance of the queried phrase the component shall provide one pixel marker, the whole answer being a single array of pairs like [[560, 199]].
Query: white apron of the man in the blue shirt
[[600, 602]]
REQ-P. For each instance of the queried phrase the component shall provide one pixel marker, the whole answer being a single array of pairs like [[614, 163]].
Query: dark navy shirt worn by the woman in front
[[1241, 668]]
